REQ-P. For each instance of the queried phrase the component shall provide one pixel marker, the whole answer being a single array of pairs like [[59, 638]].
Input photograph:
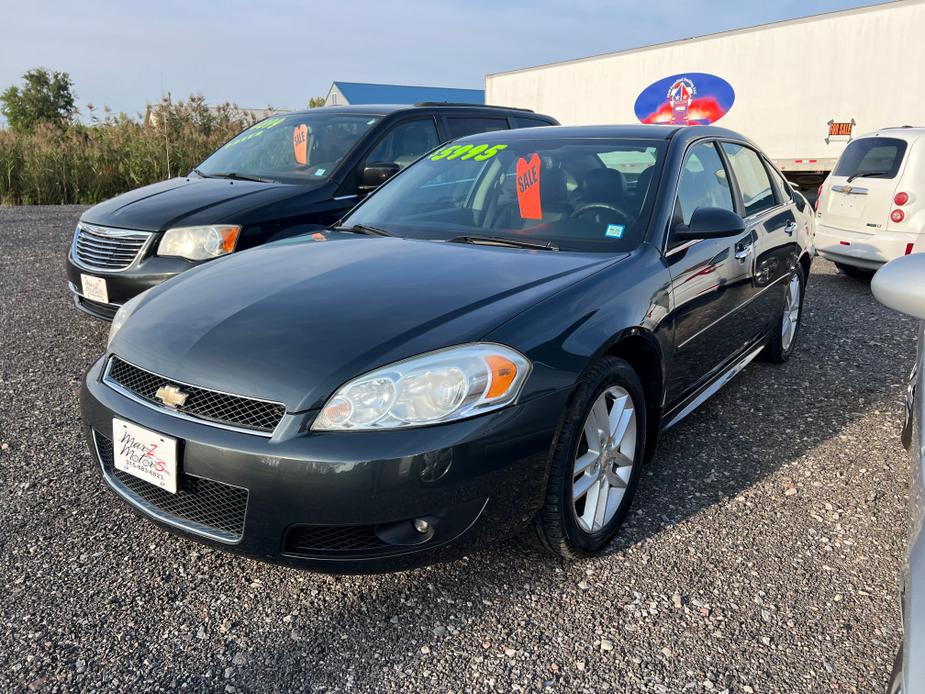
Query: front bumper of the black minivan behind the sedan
[[123, 285]]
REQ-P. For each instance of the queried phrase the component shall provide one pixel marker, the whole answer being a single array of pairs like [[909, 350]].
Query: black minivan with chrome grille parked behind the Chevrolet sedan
[[288, 174]]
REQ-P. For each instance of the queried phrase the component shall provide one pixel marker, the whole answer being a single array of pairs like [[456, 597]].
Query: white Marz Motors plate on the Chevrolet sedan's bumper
[[145, 454]]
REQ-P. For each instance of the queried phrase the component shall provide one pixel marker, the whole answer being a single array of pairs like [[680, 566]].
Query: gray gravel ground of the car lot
[[763, 553]]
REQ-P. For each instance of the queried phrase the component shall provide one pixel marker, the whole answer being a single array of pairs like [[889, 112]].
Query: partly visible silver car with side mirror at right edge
[[900, 285]]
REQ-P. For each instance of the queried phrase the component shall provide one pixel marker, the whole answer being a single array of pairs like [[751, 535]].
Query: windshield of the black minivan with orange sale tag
[[295, 148]]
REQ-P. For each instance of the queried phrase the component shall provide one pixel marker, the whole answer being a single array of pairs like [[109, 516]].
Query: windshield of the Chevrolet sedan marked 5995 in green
[[574, 194]]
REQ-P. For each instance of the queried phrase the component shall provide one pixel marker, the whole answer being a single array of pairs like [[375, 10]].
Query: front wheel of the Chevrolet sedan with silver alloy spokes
[[596, 462]]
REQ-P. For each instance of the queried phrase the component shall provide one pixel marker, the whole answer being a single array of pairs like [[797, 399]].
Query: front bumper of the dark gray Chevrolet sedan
[[340, 502]]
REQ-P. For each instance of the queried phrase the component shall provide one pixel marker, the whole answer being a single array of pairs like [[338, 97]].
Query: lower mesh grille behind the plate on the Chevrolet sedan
[[200, 505]]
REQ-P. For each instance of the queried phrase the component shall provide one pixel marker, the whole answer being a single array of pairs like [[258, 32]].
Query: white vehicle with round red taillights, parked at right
[[871, 208]]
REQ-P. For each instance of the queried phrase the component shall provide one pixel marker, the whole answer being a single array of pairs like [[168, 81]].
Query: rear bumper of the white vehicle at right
[[869, 251]]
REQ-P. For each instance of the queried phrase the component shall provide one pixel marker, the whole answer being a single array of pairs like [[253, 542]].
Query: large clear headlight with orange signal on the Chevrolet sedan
[[432, 388]]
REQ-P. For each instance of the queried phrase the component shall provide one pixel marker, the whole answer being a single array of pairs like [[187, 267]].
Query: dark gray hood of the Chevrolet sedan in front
[[292, 321]]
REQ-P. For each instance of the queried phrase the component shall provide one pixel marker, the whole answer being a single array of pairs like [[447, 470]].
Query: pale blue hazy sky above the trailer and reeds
[[280, 53]]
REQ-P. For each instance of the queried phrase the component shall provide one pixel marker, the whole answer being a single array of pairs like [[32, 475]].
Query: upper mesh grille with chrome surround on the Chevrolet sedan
[[205, 406]]
